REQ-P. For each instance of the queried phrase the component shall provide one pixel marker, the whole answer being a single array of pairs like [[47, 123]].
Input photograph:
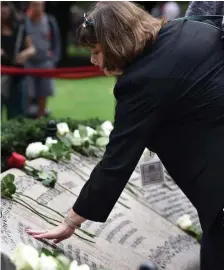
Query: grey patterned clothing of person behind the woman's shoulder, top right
[[207, 8]]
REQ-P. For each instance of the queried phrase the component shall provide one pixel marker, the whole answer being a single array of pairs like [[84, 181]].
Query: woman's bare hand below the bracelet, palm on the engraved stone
[[61, 232]]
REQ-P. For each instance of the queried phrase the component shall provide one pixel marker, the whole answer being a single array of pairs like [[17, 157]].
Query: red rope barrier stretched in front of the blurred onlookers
[[62, 73]]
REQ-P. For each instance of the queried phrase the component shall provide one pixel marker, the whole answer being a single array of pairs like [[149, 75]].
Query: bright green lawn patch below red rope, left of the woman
[[83, 99]]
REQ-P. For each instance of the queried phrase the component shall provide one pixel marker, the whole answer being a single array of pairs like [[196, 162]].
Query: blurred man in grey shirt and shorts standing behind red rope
[[44, 32]]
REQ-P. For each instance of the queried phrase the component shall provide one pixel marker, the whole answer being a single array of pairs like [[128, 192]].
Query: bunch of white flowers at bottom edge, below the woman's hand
[[27, 257]]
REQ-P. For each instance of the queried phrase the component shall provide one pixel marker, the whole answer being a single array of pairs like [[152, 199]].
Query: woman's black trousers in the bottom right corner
[[212, 246]]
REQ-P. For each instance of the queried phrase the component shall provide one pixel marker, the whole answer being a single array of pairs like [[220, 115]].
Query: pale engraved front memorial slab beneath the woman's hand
[[130, 235]]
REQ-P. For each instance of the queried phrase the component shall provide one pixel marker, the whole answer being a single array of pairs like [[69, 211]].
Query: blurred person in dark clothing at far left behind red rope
[[16, 49]]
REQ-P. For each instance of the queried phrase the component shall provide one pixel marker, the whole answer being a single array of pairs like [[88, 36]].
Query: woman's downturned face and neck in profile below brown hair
[[97, 59]]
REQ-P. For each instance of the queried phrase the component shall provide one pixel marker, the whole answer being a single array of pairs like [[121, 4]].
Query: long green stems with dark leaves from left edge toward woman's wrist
[[9, 192]]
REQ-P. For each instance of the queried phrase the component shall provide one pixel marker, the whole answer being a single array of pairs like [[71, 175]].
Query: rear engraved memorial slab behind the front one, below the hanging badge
[[166, 199]]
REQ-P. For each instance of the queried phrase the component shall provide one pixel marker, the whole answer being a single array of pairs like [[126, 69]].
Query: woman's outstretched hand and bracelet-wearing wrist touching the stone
[[61, 232]]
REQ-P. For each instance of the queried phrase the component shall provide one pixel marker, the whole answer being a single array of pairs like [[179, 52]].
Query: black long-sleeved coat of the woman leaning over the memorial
[[170, 100]]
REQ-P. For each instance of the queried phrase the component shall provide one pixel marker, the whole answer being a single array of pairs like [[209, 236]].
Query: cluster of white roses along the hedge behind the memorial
[[84, 139]]
